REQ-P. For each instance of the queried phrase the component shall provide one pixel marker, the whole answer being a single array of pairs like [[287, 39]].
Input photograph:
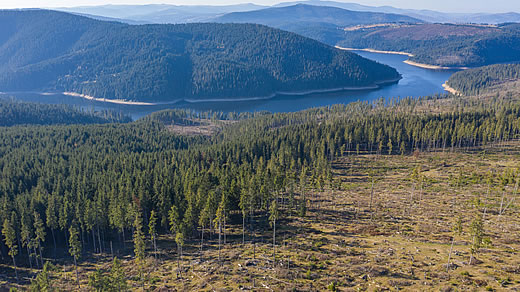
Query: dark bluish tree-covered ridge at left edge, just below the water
[[22, 113]]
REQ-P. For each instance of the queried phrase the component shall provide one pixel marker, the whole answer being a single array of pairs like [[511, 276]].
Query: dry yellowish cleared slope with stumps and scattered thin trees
[[403, 244]]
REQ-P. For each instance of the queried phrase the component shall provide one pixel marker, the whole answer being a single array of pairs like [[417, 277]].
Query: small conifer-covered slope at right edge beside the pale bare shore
[[481, 80]]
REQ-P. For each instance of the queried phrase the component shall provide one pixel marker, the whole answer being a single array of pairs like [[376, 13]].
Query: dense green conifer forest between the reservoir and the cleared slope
[[97, 179]]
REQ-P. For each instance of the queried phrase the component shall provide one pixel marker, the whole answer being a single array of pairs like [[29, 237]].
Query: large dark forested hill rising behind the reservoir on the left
[[63, 52]]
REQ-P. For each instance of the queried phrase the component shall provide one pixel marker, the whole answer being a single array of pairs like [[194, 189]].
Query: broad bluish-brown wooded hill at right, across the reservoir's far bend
[[445, 45]]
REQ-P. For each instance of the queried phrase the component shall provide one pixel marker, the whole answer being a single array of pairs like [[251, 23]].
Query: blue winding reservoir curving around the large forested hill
[[416, 82]]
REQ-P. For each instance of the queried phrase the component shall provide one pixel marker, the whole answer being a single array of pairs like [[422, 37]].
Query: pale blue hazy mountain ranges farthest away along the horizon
[[184, 14]]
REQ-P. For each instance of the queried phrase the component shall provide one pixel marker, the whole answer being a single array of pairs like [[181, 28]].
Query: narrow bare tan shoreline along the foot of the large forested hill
[[377, 85]]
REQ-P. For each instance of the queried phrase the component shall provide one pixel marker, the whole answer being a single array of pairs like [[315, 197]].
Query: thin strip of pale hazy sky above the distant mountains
[[440, 5]]
